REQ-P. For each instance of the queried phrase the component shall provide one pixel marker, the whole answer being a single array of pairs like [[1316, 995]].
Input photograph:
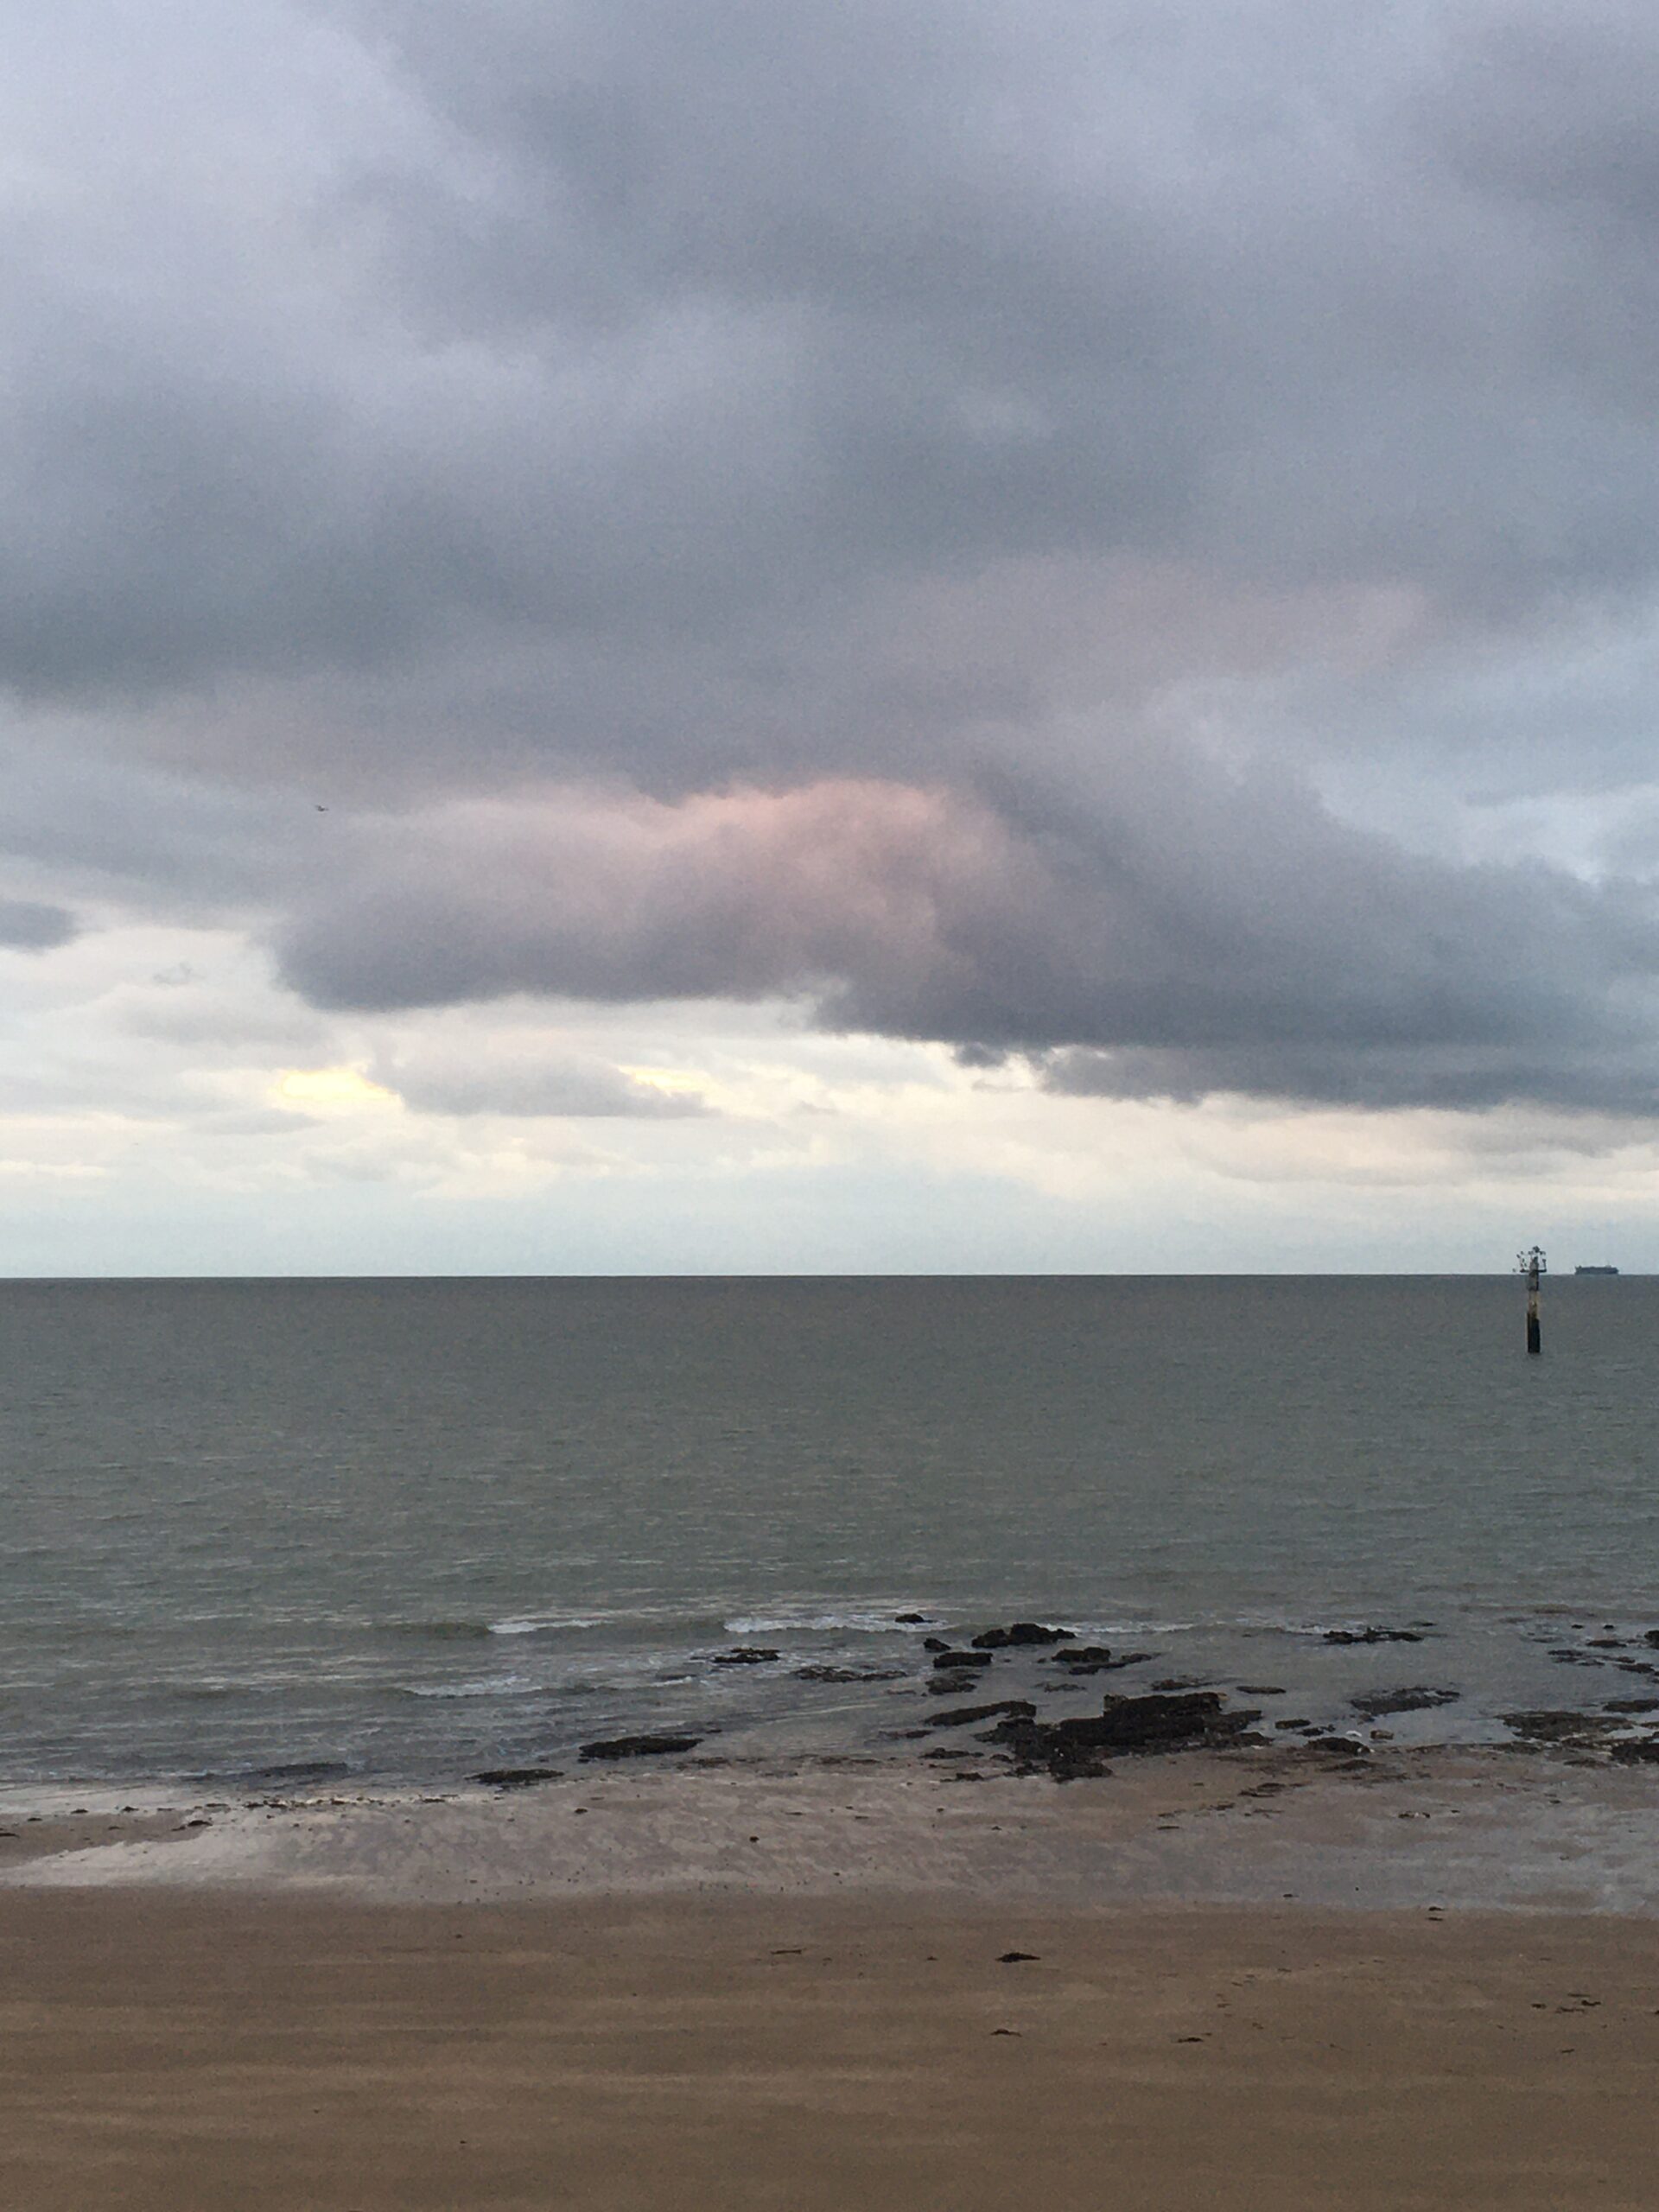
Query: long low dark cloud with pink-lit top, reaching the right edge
[[1187, 932]]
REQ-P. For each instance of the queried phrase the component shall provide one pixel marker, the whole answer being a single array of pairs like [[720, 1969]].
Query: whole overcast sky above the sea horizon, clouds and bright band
[[824, 636]]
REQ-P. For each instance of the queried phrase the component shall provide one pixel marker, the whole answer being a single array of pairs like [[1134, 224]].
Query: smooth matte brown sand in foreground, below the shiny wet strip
[[191, 2054]]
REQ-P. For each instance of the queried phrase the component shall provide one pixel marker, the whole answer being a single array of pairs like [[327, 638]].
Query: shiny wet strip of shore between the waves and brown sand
[[1523, 1830]]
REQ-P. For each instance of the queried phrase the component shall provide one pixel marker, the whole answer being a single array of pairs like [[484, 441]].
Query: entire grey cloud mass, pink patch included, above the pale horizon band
[[775, 501]]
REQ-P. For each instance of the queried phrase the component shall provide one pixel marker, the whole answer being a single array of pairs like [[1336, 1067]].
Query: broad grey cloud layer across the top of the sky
[[649, 322]]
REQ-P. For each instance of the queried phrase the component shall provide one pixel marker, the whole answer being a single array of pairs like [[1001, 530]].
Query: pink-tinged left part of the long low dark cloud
[[724, 895]]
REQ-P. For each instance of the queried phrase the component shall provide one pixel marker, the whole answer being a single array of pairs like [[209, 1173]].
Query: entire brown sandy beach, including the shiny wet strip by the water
[[853, 1987]]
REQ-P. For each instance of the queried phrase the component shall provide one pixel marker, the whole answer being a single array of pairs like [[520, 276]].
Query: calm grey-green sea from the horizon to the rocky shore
[[417, 1527]]
